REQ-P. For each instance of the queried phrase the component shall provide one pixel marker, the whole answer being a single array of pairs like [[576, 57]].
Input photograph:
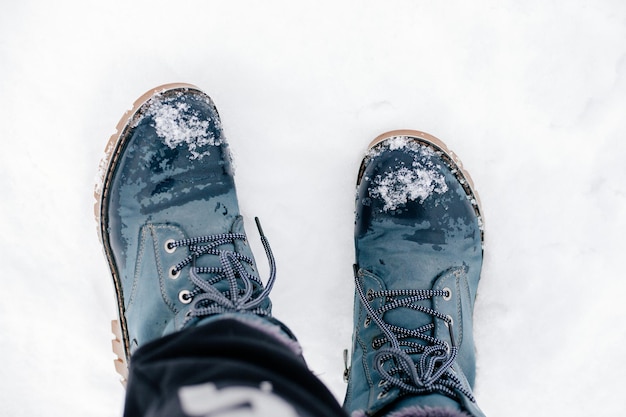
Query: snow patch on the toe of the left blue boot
[[177, 124]]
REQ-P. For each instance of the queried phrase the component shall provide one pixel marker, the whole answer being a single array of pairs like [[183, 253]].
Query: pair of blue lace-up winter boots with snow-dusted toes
[[174, 239]]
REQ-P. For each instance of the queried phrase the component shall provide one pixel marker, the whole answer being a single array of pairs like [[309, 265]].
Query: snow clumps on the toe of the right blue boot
[[404, 184]]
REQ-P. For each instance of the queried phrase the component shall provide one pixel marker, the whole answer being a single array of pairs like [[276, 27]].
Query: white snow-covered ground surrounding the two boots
[[530, 94]]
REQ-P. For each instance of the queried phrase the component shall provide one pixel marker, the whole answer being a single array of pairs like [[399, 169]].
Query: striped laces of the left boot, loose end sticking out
[[245, 291]]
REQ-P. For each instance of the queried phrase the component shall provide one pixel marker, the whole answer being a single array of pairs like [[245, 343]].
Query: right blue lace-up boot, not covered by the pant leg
[[419, 254]]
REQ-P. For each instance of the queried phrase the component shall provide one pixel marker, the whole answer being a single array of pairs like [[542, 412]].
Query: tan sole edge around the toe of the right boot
[[449, 157]]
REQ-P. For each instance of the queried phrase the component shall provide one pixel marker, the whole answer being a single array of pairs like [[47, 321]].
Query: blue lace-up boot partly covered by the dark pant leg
[[170, 225]]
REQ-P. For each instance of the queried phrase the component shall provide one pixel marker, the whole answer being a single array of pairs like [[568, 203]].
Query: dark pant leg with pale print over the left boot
[[225, 353]]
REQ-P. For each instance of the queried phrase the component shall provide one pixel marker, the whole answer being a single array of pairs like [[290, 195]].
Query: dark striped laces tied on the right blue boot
[[432, 370]]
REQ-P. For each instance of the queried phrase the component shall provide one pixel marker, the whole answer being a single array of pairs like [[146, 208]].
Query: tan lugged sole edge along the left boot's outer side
[[112, 153]]
